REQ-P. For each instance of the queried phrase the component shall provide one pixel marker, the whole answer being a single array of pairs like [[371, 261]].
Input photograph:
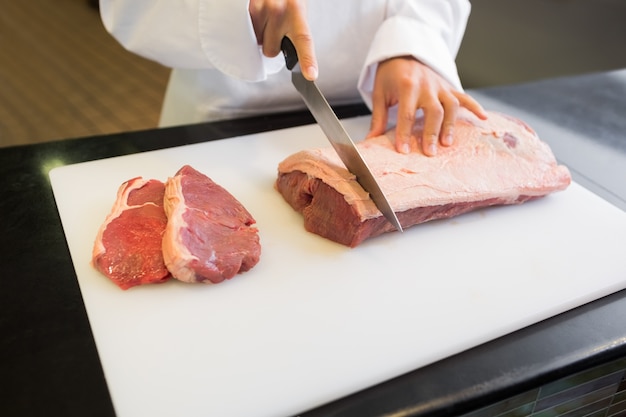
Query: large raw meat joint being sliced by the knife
[[494, 162]]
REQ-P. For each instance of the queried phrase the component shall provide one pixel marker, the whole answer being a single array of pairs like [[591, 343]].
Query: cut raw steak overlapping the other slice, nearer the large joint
[[209, 235]]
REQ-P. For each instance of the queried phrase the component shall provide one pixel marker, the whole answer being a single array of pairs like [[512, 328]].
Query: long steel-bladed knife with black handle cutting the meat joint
[[336, 134]]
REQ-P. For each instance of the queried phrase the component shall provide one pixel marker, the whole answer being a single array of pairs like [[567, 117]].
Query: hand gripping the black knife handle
[[274, 19]]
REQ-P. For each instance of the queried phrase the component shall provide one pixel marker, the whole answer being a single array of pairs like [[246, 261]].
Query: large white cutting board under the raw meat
[[315, 321]]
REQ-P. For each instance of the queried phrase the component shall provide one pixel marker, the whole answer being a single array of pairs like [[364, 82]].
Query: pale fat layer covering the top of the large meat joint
[[500, 157]]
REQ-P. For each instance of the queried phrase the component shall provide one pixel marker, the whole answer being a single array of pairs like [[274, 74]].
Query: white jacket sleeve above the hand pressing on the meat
[[429, 30]]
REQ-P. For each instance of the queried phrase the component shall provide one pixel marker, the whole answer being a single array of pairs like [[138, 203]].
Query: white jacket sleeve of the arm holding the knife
[[192, 34]]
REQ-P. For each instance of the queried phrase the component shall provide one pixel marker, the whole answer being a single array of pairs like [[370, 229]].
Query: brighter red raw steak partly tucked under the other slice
[[128, 245]]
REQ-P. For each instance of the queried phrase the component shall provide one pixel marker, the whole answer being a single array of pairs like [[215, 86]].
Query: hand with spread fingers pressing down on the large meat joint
[[412, 85]]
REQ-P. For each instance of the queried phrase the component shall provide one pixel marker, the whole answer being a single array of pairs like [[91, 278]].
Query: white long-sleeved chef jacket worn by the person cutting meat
[[221, 73]]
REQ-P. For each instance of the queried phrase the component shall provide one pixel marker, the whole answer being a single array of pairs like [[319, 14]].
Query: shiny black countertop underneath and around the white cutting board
[[49, 362]]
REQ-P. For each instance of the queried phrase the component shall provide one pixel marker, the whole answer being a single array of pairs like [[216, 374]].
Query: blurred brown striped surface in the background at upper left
[[63, 76]]
